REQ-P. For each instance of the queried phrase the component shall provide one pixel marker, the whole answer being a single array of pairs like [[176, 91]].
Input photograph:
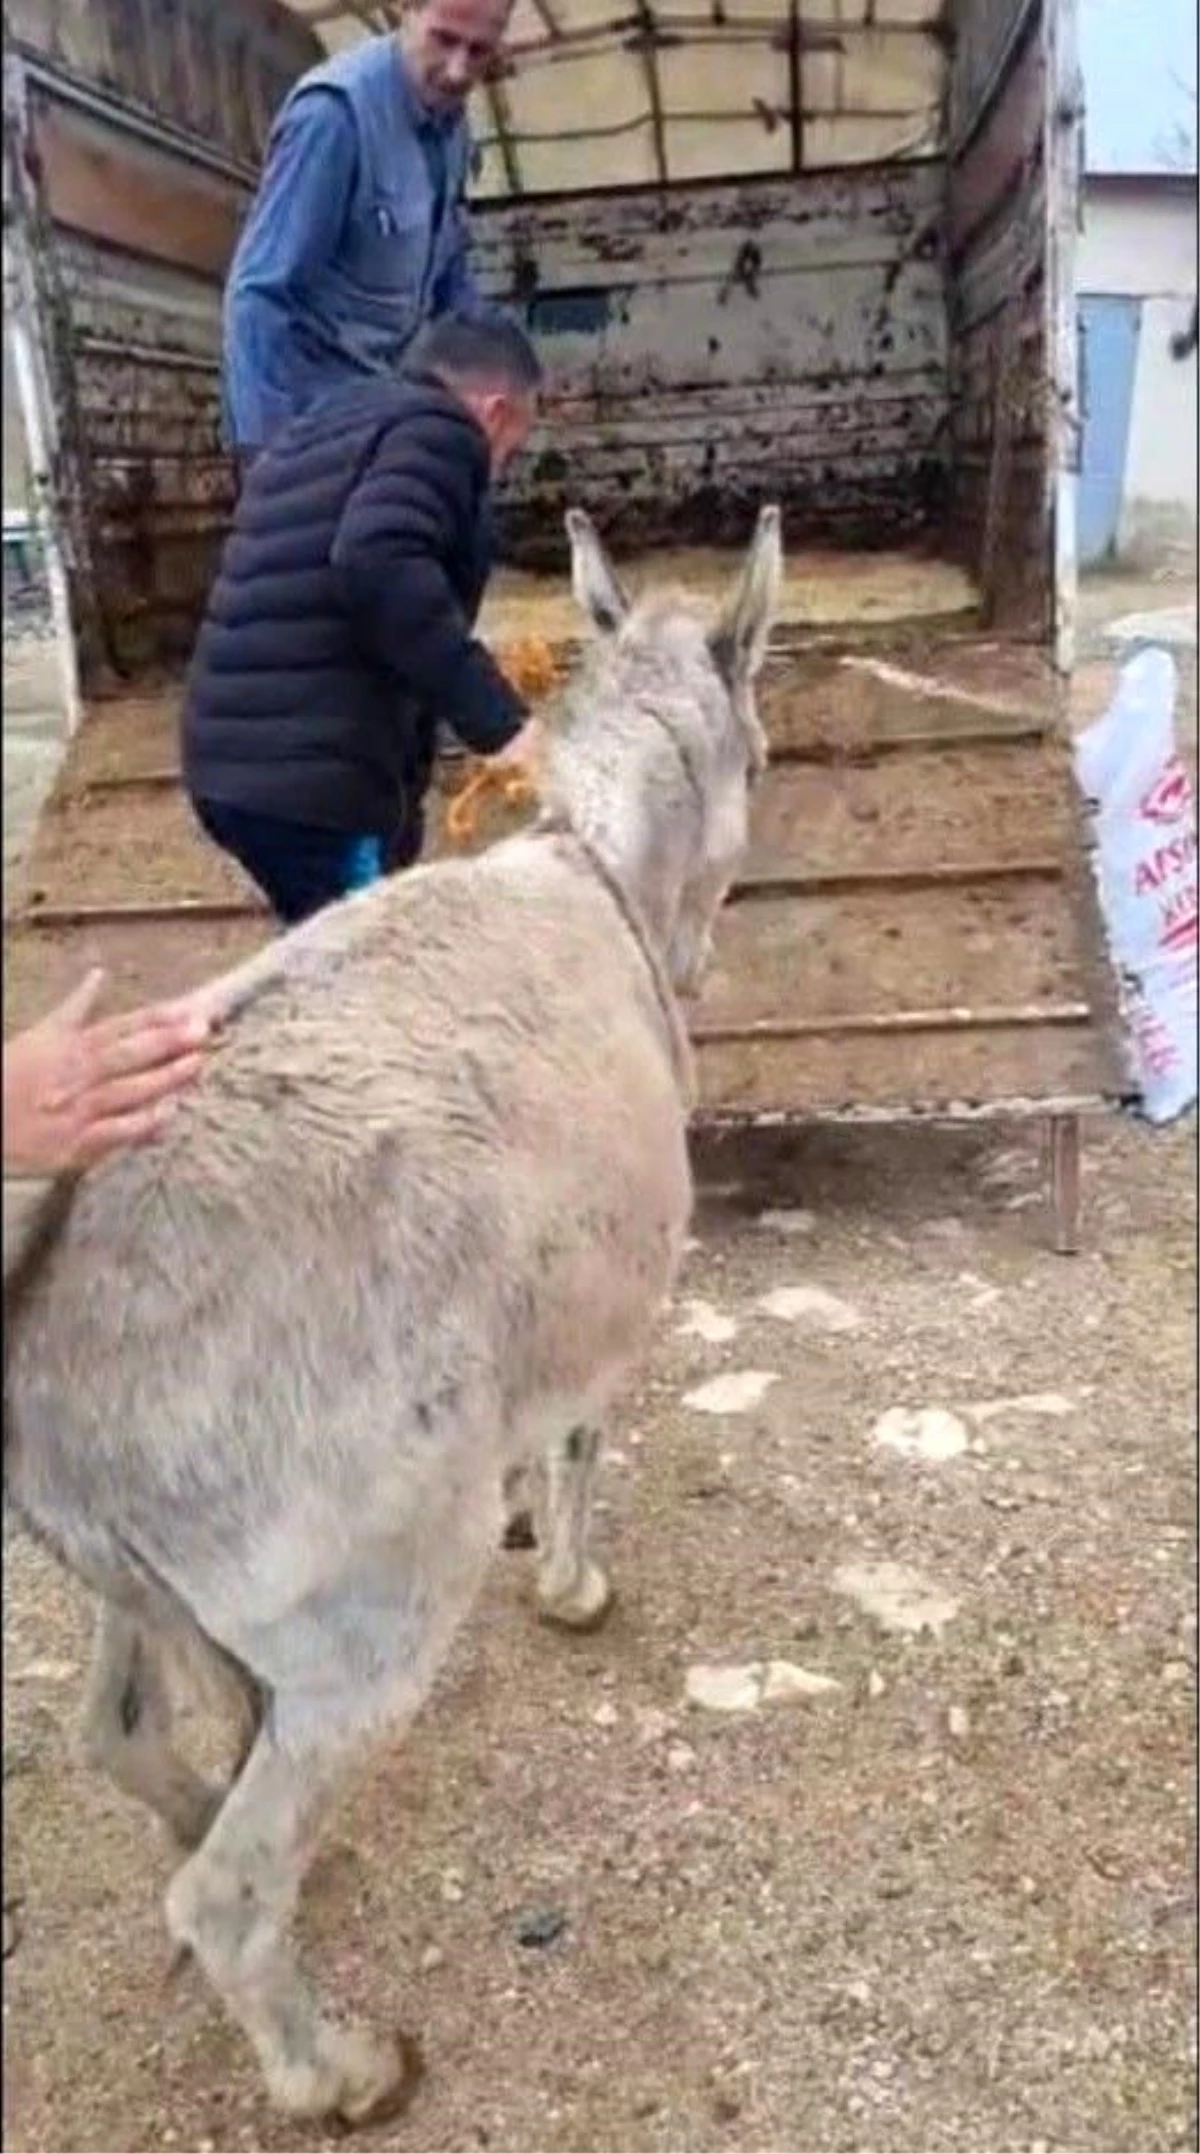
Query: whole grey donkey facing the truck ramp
[[270, 1382]]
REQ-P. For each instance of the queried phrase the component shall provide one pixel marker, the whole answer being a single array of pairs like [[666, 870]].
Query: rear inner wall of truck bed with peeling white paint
[[723, 344]]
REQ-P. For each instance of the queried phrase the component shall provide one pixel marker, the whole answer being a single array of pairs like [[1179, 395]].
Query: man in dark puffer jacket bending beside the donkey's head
[[341, 624]]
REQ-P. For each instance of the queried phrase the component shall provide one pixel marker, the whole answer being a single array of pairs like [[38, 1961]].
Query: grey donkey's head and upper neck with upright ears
[[660, 738]]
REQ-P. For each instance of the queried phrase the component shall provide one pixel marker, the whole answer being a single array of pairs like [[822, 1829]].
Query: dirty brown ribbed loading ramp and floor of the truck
[[915, 932]]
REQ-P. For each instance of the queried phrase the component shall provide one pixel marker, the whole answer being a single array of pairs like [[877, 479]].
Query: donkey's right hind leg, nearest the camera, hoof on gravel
[[339, 1668]]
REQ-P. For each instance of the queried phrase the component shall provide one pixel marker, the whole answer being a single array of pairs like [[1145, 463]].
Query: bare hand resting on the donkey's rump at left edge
[[76, 1091]]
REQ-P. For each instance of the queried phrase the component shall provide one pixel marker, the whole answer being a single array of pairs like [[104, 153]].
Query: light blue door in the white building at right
[[1108, 361]]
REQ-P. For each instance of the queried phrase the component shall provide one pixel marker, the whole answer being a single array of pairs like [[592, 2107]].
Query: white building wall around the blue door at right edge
[[1141, 242]]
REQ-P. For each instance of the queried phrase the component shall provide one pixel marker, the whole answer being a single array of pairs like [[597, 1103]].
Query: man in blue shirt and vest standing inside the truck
[[359, 229]]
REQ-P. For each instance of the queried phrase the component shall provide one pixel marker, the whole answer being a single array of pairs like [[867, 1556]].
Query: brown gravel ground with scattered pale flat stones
[[940, 1910]]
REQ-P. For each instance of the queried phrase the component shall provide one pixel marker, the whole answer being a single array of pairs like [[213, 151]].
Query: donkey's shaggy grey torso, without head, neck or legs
[[432, 1179]]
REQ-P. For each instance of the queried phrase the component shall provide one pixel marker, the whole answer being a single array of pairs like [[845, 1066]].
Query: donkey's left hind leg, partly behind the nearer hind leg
[[128, 1729]]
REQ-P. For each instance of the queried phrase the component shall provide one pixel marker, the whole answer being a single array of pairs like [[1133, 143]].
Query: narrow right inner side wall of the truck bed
[[999, 307]]
